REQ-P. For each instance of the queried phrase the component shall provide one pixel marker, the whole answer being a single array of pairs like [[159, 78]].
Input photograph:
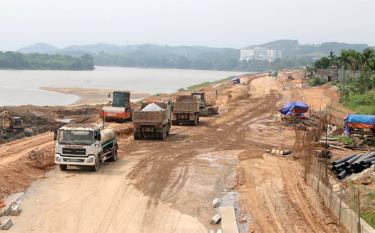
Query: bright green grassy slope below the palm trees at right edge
[[361, 103]]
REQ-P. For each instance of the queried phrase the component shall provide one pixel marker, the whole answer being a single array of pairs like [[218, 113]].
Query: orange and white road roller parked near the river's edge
[[120, 109]]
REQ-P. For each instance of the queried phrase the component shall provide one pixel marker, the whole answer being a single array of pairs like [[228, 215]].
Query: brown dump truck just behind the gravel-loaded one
[[185, 110]]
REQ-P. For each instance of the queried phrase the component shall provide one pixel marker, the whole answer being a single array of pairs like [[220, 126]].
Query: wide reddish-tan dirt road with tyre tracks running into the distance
[[168, 186]]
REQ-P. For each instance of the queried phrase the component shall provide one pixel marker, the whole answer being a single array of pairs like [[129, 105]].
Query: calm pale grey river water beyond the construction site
[[19, 87]]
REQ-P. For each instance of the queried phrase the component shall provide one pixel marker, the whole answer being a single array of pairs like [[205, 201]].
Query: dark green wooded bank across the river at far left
[[34, 61]]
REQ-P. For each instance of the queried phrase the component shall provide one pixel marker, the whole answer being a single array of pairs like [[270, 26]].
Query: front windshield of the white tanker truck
[[76, 137]]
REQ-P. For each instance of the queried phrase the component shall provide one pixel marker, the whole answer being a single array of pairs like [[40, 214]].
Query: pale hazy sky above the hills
[[219, 23]]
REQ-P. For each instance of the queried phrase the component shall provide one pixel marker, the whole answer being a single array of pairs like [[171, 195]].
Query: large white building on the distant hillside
[[260, 53]]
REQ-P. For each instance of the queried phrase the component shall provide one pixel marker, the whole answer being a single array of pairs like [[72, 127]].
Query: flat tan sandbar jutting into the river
[[90, 95]]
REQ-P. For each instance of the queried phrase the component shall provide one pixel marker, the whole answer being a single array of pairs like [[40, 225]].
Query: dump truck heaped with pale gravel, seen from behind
[[152, 120]]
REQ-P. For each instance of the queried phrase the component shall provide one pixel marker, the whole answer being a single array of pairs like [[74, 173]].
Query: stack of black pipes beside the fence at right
[[353, 164]]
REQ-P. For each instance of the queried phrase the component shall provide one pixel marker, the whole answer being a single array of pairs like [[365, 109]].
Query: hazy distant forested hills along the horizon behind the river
[[294, 55]]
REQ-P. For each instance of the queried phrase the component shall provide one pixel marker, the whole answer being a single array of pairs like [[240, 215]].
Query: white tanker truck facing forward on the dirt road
[[84, 145]]
